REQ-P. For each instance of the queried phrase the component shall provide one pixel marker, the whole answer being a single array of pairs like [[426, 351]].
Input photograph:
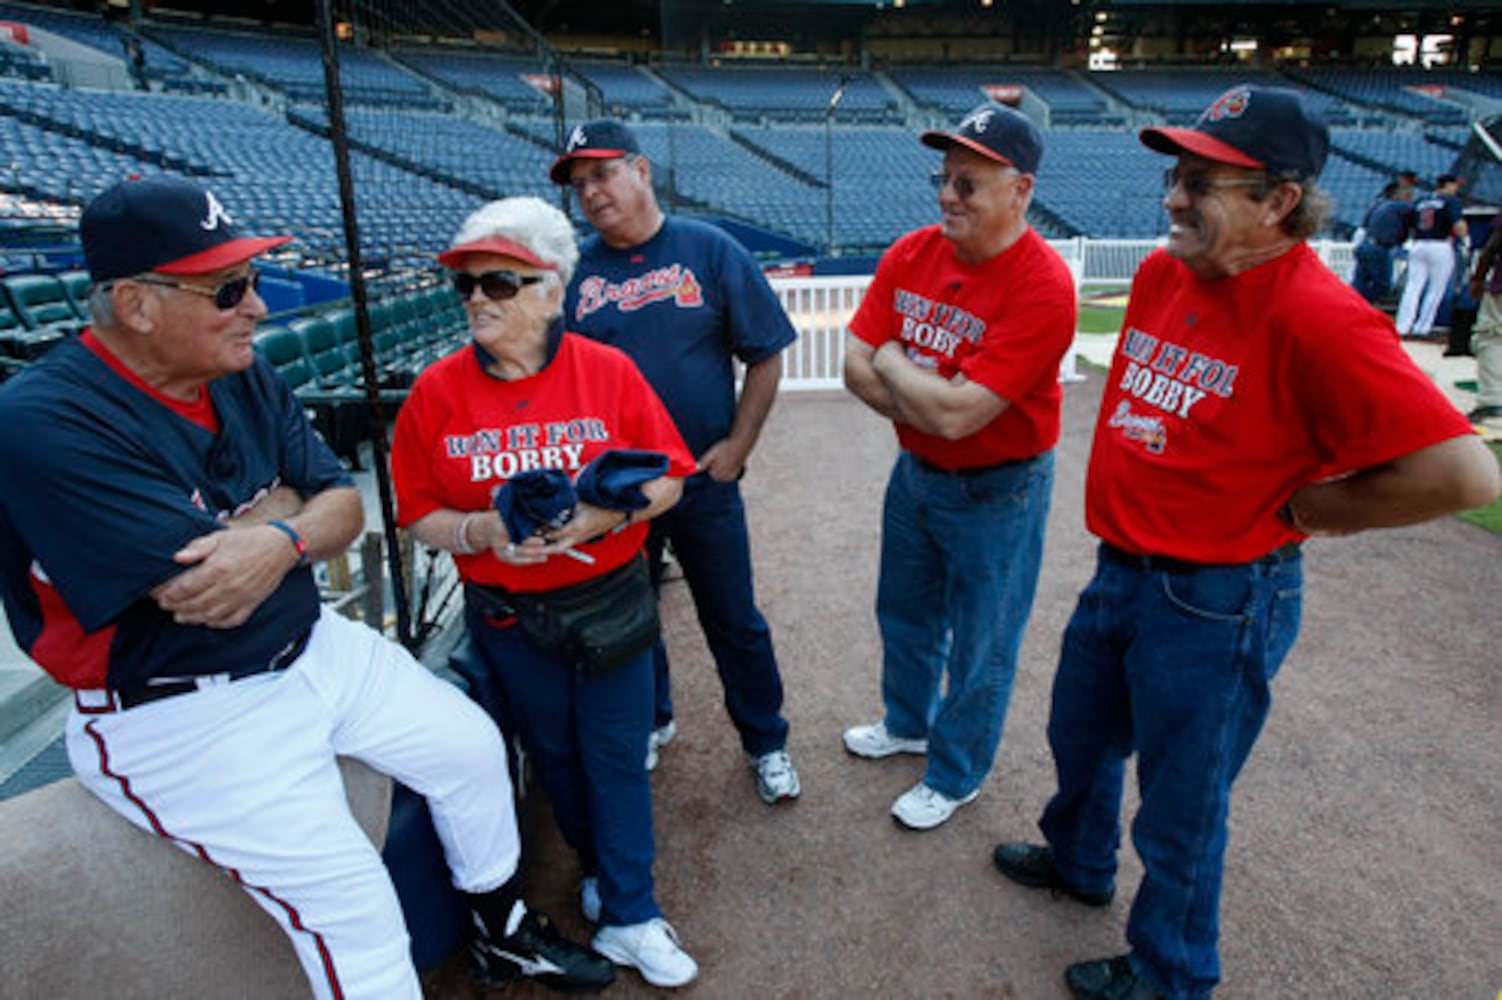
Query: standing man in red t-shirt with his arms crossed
[[959, 343]]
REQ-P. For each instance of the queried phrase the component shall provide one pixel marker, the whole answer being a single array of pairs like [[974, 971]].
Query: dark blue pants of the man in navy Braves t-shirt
[[708, 529]]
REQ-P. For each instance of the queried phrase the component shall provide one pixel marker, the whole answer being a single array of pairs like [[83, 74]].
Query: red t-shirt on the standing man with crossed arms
[[1004, 324]]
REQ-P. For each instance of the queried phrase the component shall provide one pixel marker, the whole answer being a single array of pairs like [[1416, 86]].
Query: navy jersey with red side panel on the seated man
[[101, 484]]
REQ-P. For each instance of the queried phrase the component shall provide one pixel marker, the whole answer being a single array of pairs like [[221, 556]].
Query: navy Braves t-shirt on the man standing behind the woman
[[701, 300]]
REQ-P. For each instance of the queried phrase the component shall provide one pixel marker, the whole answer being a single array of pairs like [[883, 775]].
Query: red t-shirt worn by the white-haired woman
[[462, 435]]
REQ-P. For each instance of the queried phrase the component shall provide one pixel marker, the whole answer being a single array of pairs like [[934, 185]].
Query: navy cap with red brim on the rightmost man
[[1264, 128]]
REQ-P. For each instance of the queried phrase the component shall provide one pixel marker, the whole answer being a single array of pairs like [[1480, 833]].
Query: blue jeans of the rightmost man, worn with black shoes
[[1175, 667]]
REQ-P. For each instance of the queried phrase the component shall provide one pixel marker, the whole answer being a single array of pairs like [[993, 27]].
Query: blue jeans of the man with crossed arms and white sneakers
[[959, 570]]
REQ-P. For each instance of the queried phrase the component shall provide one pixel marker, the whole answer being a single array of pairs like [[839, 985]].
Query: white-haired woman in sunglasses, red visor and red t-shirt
[[526, 396]]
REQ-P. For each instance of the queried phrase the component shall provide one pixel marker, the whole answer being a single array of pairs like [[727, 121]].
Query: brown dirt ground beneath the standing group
[[1366, 855]]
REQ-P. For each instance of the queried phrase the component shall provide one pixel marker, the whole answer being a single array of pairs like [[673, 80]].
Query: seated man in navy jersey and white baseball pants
[[161, 499]]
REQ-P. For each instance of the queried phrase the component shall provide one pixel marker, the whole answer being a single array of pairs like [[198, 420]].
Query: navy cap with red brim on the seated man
[[166, 224]]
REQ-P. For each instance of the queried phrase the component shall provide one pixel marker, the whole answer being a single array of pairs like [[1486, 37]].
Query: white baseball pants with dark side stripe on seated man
[[244, 777]]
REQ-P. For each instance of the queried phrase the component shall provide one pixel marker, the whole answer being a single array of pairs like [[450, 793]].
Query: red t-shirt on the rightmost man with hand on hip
[[1228, 396]]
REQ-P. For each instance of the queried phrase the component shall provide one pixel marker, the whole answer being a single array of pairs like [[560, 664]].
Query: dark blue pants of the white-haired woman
[[587, 735]]
